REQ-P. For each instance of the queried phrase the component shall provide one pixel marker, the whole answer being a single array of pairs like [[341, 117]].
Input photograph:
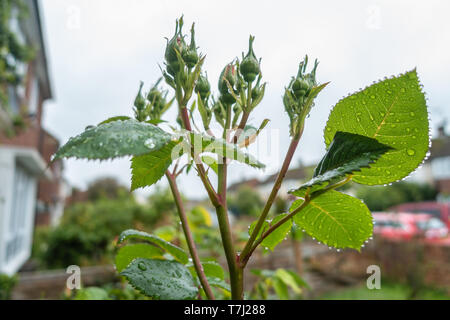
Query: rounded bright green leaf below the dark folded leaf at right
[[336, 219]]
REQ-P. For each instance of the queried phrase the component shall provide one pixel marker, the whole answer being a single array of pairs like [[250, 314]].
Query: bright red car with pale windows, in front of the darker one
[[406, 226]]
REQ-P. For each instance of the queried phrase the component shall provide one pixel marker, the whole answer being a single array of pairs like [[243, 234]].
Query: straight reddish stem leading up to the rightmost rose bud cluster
[[276, 187]]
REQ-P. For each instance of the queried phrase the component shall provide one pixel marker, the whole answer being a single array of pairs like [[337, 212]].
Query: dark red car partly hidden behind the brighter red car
[[436, 209]]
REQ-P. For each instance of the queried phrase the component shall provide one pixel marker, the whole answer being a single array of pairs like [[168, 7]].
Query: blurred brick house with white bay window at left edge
[[32, 190]]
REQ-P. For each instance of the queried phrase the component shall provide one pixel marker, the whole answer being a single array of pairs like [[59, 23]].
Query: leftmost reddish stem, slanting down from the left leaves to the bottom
[[189, 239]]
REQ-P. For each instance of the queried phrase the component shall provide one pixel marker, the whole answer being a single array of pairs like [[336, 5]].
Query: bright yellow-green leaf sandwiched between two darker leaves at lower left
[[128, 253]]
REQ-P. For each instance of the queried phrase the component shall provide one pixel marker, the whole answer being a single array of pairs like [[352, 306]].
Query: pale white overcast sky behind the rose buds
[[99, 50]]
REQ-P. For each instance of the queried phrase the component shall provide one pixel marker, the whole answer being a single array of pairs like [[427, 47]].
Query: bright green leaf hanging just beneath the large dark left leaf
[[147, 169]]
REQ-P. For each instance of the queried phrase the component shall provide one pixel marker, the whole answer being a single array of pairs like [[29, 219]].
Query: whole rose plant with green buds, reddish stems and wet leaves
[[376, 136]]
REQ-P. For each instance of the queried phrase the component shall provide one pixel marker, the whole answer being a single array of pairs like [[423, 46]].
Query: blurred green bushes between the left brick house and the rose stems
[[88, 228]]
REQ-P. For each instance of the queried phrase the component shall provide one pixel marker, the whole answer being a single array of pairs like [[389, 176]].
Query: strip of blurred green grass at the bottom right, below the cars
[[388, 291]]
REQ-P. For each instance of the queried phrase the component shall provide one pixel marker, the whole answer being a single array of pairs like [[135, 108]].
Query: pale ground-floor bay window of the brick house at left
[[17, 228]]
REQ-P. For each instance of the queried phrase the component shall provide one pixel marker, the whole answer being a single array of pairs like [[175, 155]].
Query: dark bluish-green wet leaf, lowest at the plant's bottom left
[[161, 279]]
